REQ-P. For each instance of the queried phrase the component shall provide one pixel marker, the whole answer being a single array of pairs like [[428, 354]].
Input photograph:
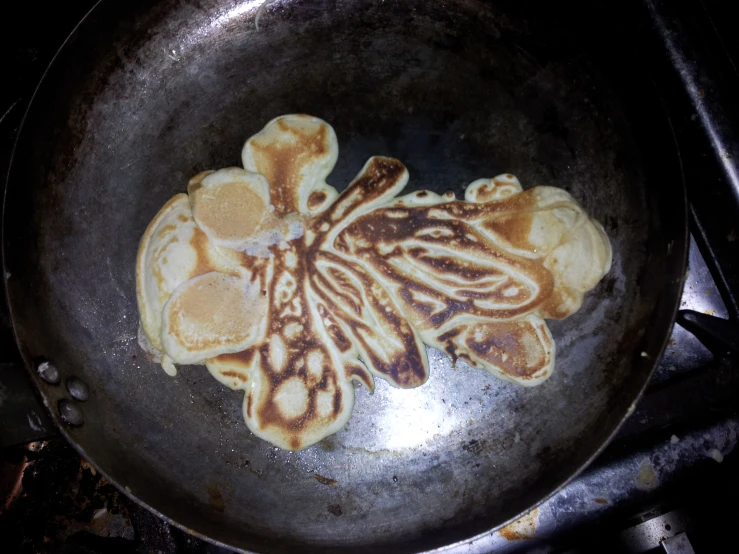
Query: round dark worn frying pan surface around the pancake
[[144, 95]]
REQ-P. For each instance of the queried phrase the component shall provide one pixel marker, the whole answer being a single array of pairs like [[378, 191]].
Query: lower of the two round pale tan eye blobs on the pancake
[[212, 314]]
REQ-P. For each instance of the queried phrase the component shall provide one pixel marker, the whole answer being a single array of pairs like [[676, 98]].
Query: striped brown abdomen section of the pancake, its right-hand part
[[476, 278]]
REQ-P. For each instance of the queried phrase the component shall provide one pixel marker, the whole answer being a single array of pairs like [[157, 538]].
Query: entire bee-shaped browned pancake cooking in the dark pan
[[289, 291]]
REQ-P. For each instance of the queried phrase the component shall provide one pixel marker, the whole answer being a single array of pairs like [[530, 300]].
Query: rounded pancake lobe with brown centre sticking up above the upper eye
[[295, 153]]
